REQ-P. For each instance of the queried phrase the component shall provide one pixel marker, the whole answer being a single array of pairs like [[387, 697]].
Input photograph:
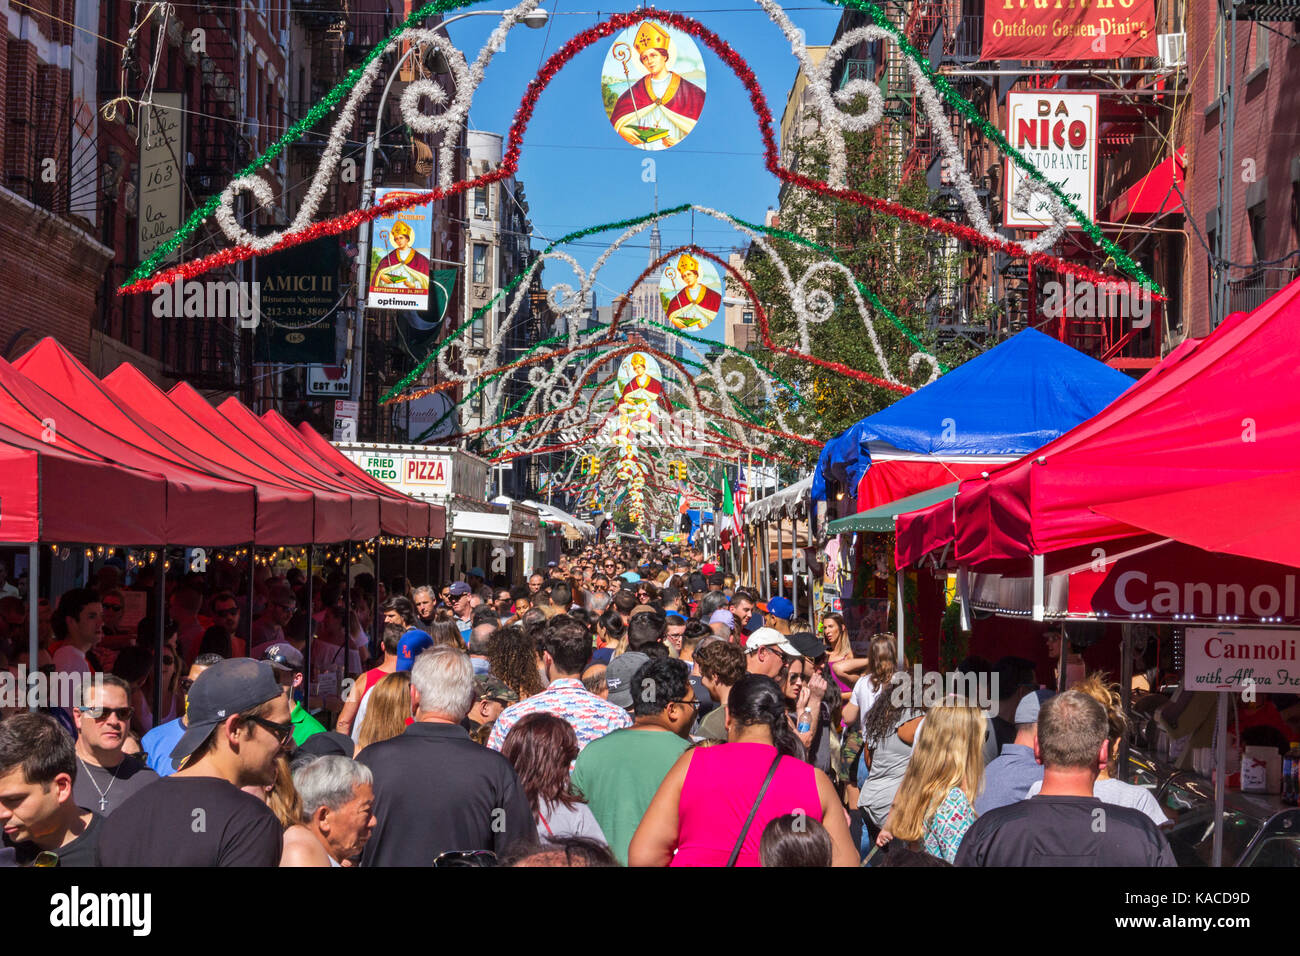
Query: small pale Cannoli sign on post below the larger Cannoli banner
[[1228, 659]]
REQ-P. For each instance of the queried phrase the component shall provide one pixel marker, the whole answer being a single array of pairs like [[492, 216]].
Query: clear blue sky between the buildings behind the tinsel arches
[[578, 172]]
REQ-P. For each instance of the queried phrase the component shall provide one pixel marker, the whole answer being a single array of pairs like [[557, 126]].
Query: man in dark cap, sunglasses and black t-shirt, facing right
[[236, 726]]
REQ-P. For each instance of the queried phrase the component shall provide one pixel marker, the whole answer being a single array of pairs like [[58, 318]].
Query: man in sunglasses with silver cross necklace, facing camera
[[106, 776]]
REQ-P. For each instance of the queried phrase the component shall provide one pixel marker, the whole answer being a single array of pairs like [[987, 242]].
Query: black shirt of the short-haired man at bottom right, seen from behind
[[1064, 832]]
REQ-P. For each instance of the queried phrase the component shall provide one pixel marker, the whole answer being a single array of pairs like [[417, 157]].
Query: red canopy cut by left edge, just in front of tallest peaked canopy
[[198, 509]]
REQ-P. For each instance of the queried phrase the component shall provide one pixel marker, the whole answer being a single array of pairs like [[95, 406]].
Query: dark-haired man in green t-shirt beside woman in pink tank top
[[618, 775]]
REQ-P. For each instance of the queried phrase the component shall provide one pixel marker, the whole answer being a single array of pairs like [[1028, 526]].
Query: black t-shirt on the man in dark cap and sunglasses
[[192, 821]]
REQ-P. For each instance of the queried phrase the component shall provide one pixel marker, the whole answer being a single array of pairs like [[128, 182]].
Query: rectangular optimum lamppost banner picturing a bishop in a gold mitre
[[400, 256]]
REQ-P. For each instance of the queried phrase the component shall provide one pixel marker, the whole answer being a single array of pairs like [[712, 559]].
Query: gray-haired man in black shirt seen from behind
[[436, 791]]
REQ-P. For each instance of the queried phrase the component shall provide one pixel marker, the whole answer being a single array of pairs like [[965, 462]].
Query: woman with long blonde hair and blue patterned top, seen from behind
[[934, 807]]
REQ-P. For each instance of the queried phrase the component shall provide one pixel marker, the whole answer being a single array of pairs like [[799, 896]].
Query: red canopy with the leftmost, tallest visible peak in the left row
[[284, 516]]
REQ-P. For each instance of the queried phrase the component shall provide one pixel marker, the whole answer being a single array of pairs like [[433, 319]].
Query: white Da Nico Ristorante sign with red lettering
[[1058, 132]]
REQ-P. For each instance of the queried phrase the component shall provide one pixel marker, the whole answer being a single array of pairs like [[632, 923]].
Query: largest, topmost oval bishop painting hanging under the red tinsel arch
[[653, 85]]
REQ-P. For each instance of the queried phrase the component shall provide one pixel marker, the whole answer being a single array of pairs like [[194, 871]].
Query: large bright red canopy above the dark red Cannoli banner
[[1223, 412]]
